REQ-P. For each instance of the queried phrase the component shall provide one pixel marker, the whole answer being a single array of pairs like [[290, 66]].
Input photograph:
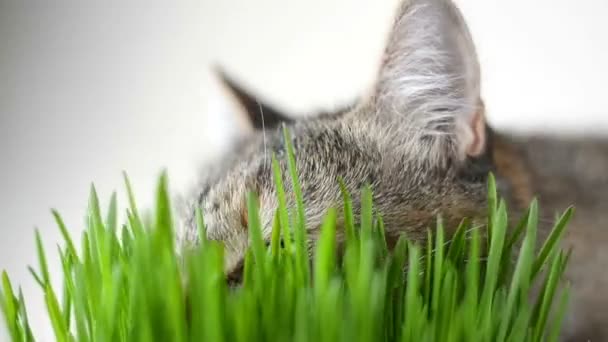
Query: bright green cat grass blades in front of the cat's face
[[127, 283]]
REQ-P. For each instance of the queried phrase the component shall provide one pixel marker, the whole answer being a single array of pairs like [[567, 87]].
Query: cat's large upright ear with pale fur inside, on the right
[[430, 76]]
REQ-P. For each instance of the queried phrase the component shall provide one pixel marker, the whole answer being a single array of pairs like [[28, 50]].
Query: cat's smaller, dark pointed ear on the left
[[257, 114]]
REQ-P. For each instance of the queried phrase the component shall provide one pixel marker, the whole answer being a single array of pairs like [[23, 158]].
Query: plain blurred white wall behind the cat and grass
[[88, 90]]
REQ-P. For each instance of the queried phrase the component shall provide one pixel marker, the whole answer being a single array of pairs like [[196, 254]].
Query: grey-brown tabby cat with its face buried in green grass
[[420, 139]]
